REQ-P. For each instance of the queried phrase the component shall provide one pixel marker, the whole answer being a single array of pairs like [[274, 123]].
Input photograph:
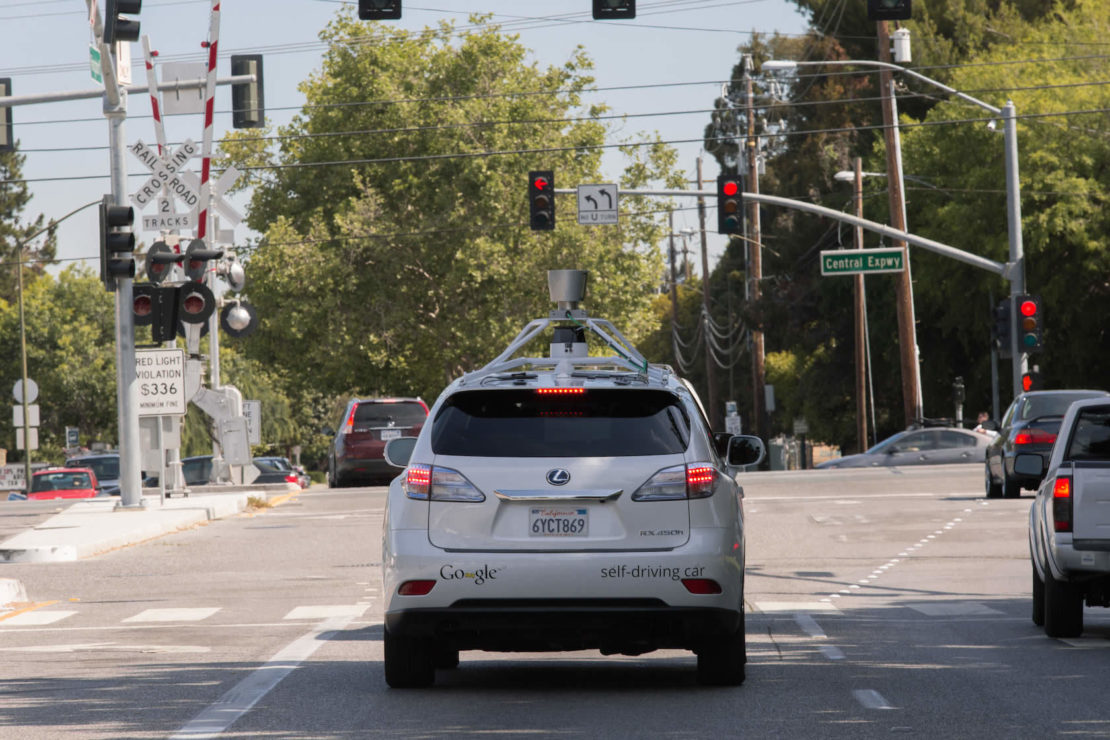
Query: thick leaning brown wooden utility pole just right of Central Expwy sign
[[904, 286]]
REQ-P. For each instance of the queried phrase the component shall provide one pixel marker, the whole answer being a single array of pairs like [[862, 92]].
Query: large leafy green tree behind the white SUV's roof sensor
[[395, 212]]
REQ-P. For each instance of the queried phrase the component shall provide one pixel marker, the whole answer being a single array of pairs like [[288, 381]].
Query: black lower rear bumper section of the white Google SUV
[[612, 626]]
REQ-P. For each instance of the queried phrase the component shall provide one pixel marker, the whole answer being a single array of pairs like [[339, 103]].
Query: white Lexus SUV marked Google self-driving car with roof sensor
[[566, 503]]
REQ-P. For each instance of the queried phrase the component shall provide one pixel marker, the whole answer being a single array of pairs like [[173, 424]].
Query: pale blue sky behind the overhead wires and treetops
[[673, 58]]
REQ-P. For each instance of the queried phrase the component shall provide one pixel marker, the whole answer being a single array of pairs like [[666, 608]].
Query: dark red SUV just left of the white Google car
[[357, 452]]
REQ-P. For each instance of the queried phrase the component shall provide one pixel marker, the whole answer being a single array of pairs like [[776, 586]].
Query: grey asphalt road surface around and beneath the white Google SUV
[[881, 603]]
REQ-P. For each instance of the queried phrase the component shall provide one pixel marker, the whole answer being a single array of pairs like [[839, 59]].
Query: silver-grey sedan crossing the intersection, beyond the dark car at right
[[930, 447]]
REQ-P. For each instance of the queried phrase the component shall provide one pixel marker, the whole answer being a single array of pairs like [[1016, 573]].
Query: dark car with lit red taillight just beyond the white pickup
[[1030, 425]]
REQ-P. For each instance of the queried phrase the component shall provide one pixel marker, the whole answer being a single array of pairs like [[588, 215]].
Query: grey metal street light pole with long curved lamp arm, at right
[[1015, 267]]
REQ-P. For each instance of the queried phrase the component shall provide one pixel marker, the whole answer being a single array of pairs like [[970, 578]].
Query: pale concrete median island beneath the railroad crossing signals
[[94, 526]]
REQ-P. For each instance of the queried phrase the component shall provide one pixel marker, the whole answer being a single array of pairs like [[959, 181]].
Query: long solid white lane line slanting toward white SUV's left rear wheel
[[226, 711]]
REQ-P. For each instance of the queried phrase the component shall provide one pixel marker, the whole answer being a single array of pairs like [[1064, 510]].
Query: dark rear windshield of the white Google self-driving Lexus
[[600, 423]]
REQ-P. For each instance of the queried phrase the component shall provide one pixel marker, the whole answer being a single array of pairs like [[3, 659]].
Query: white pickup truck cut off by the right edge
[[1069, 522]]
